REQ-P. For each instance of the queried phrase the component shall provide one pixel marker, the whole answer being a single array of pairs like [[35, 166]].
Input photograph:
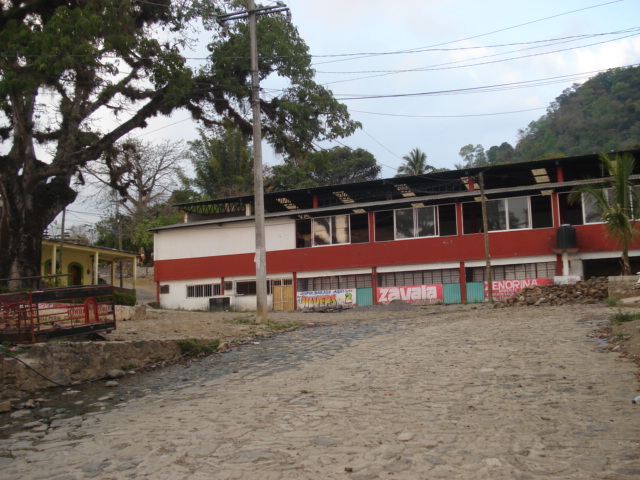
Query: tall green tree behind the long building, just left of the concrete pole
[[223, 163]]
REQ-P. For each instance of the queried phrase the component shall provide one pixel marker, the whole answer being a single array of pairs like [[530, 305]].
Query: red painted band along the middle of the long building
[[461, 248]]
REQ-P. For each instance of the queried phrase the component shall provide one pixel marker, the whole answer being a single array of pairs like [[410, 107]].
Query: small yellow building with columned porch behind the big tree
[[80, 262]]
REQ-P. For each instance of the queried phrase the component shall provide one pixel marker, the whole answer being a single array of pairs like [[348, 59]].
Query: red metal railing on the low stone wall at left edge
[[41, 315]]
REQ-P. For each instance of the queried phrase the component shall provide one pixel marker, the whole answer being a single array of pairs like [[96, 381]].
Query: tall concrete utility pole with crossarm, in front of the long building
[[258, 182]]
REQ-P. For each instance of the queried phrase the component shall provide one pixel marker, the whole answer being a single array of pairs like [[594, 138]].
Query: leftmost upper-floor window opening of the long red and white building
[[334, 230]]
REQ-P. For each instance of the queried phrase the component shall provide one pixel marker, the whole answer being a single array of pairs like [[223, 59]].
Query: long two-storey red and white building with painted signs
[[414, 238]]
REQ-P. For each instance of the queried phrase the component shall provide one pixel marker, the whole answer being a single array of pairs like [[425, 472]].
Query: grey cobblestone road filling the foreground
[[518, 395]]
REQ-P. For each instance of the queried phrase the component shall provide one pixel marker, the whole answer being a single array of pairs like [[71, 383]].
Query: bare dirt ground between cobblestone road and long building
[[240, 327]]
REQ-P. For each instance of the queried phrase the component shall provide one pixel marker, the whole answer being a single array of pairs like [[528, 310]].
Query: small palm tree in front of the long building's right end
[[617, 203]]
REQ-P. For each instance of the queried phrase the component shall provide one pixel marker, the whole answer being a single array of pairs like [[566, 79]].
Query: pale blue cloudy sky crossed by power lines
[[441, 74]]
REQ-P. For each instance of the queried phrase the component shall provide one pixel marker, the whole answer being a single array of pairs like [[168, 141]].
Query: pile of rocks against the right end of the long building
[[589, 291]]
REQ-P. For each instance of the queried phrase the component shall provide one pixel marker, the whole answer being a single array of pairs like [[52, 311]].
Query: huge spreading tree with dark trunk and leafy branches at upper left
[[78, 75]]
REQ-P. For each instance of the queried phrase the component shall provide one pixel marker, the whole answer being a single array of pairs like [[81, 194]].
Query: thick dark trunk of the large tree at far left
[[25, 215]]
